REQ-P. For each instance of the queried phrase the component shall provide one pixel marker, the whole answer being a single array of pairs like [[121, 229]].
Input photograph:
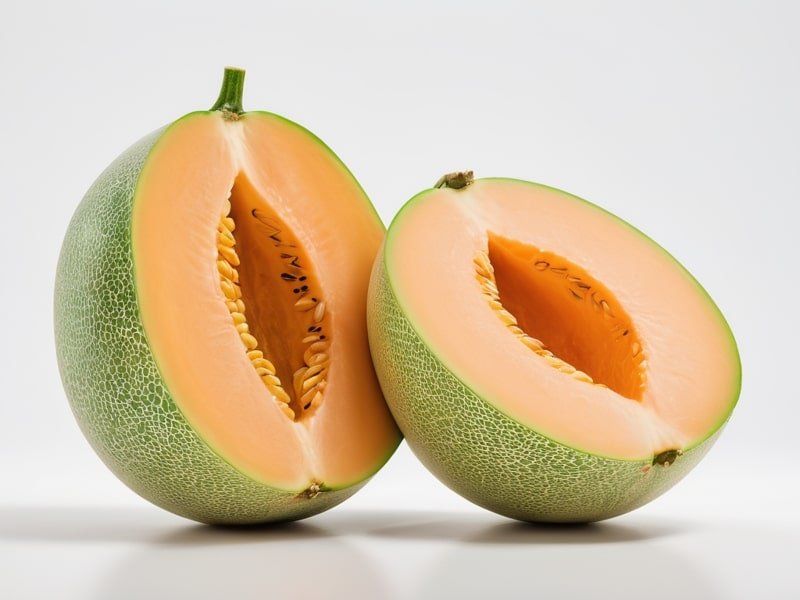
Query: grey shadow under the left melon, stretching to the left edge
[[136, 525]]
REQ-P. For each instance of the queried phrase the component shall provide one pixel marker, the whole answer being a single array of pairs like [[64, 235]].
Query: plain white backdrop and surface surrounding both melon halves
[[681, 117]]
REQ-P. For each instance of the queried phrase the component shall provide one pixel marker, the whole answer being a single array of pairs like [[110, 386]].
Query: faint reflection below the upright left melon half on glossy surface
[[289, 561]]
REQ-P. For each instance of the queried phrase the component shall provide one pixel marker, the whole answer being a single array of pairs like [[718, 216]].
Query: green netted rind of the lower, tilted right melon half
[[487, 456]]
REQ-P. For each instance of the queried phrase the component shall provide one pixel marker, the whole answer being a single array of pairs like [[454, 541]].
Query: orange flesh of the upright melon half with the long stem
[[270, 166]]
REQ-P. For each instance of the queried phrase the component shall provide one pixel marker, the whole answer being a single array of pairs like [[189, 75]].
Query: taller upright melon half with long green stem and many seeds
[[210, 327]]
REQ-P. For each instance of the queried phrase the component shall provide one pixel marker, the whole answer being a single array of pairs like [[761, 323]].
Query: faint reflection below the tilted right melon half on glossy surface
[[606, 560]]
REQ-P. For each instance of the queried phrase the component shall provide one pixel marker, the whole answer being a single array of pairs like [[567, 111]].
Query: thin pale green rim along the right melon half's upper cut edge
[[397, 224]]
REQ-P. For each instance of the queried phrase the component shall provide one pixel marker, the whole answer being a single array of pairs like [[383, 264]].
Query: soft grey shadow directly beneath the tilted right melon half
[[491, 529]]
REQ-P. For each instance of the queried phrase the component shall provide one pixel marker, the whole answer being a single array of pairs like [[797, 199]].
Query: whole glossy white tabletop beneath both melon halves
[[385, 554]]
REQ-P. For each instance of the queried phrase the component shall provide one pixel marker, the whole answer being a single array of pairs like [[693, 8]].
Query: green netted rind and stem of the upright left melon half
[[119, 398]]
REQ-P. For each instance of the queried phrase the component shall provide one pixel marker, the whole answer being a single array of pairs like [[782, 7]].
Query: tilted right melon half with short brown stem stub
[[543, 358]]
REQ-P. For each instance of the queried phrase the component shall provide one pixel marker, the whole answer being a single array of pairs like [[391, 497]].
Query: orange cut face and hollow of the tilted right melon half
[[667, 384]]
